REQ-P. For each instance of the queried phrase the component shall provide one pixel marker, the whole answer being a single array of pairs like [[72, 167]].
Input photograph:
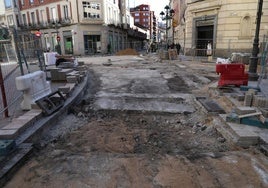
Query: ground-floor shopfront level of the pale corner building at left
[[87, 39]]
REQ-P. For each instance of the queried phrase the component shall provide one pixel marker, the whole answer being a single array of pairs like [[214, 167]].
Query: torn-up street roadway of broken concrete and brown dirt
[[140, 125]]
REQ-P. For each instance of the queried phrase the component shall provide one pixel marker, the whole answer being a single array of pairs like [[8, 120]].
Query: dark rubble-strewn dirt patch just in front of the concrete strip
[[144, 133]]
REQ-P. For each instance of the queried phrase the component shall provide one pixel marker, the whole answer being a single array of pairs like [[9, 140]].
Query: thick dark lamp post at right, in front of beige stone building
[[253, 76]]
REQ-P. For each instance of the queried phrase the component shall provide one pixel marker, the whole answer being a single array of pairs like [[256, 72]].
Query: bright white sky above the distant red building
[[155, 5]]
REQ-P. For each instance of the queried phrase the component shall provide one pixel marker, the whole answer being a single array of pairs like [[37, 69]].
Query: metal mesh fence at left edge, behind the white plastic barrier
[[14, 62]]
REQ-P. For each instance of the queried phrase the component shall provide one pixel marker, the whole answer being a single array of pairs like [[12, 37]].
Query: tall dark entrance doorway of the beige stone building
[[204, 35]]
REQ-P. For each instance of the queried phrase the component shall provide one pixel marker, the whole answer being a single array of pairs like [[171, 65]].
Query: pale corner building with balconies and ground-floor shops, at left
[[76, 27]]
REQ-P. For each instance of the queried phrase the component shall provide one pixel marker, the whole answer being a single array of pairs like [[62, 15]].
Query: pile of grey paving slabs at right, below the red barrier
[[247, 123]]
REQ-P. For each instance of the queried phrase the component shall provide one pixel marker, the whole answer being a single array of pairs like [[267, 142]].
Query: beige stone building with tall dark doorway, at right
[[228, 25]]
